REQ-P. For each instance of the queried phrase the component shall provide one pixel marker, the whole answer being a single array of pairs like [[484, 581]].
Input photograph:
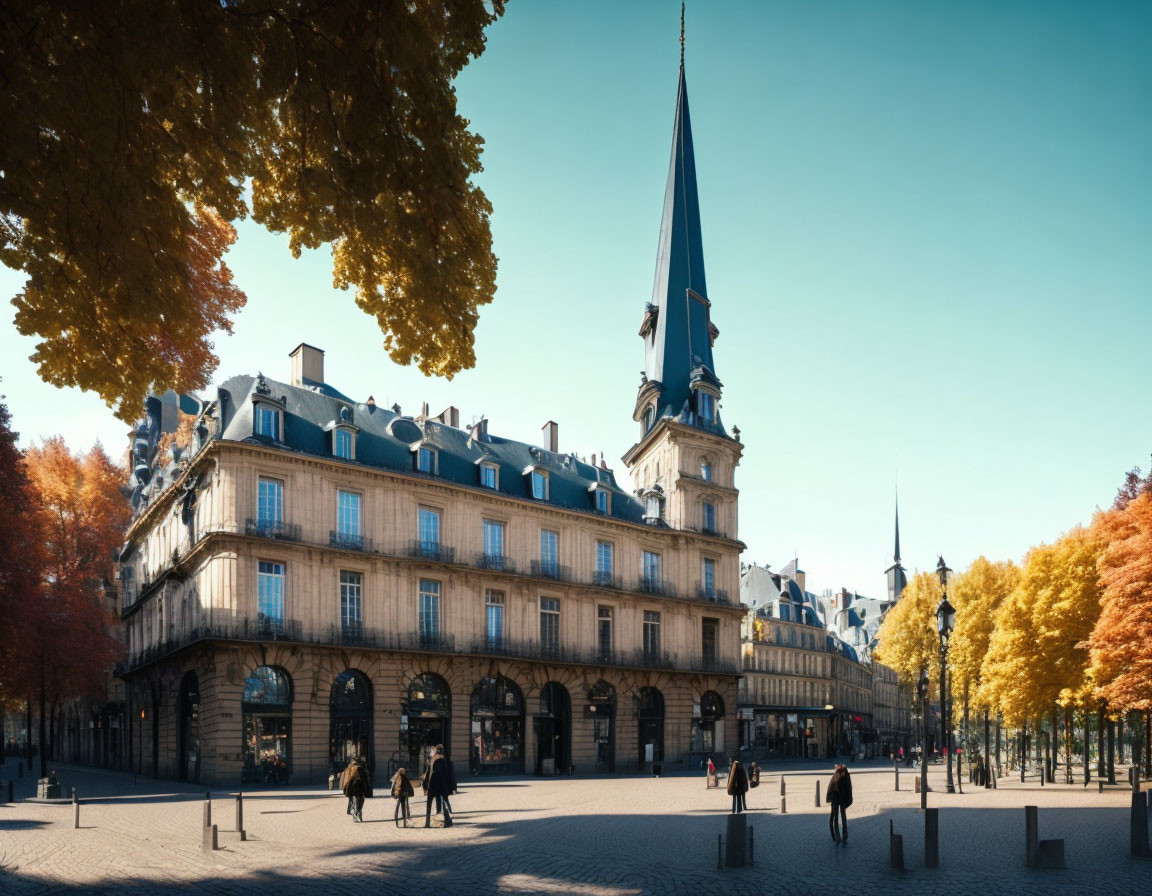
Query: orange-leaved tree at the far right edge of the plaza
[[1121, 643]]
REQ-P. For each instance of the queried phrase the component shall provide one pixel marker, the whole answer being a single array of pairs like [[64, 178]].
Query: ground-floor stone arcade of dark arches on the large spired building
[[264, 715]]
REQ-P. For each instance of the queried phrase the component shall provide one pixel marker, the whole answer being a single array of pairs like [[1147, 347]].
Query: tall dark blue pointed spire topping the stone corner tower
[[678, 331]]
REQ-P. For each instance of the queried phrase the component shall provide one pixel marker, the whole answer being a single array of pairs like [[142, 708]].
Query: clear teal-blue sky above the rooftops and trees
[[928, 231]]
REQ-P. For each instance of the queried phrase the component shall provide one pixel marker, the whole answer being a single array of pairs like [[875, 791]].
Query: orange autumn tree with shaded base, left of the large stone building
[[70, 643]]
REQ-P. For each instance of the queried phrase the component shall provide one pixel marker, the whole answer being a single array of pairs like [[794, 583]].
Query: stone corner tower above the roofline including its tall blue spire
[[685, 462]]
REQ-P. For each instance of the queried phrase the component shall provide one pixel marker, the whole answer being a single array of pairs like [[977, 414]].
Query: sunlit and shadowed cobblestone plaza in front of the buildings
[[595, 837]]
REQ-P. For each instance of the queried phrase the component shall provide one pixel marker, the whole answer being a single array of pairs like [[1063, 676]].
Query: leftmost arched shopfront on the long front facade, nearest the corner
[[268, 727]]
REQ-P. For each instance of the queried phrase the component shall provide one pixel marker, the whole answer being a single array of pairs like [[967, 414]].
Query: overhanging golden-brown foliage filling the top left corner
[[135, 131]]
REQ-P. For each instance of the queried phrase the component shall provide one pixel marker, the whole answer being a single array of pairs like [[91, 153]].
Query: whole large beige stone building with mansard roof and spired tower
[[314, 576]]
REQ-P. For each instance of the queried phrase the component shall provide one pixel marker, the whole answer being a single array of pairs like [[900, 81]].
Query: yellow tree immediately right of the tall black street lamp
[[977, 594]]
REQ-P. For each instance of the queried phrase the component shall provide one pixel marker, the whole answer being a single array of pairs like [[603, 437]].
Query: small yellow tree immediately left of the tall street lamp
[[908, 639]]
